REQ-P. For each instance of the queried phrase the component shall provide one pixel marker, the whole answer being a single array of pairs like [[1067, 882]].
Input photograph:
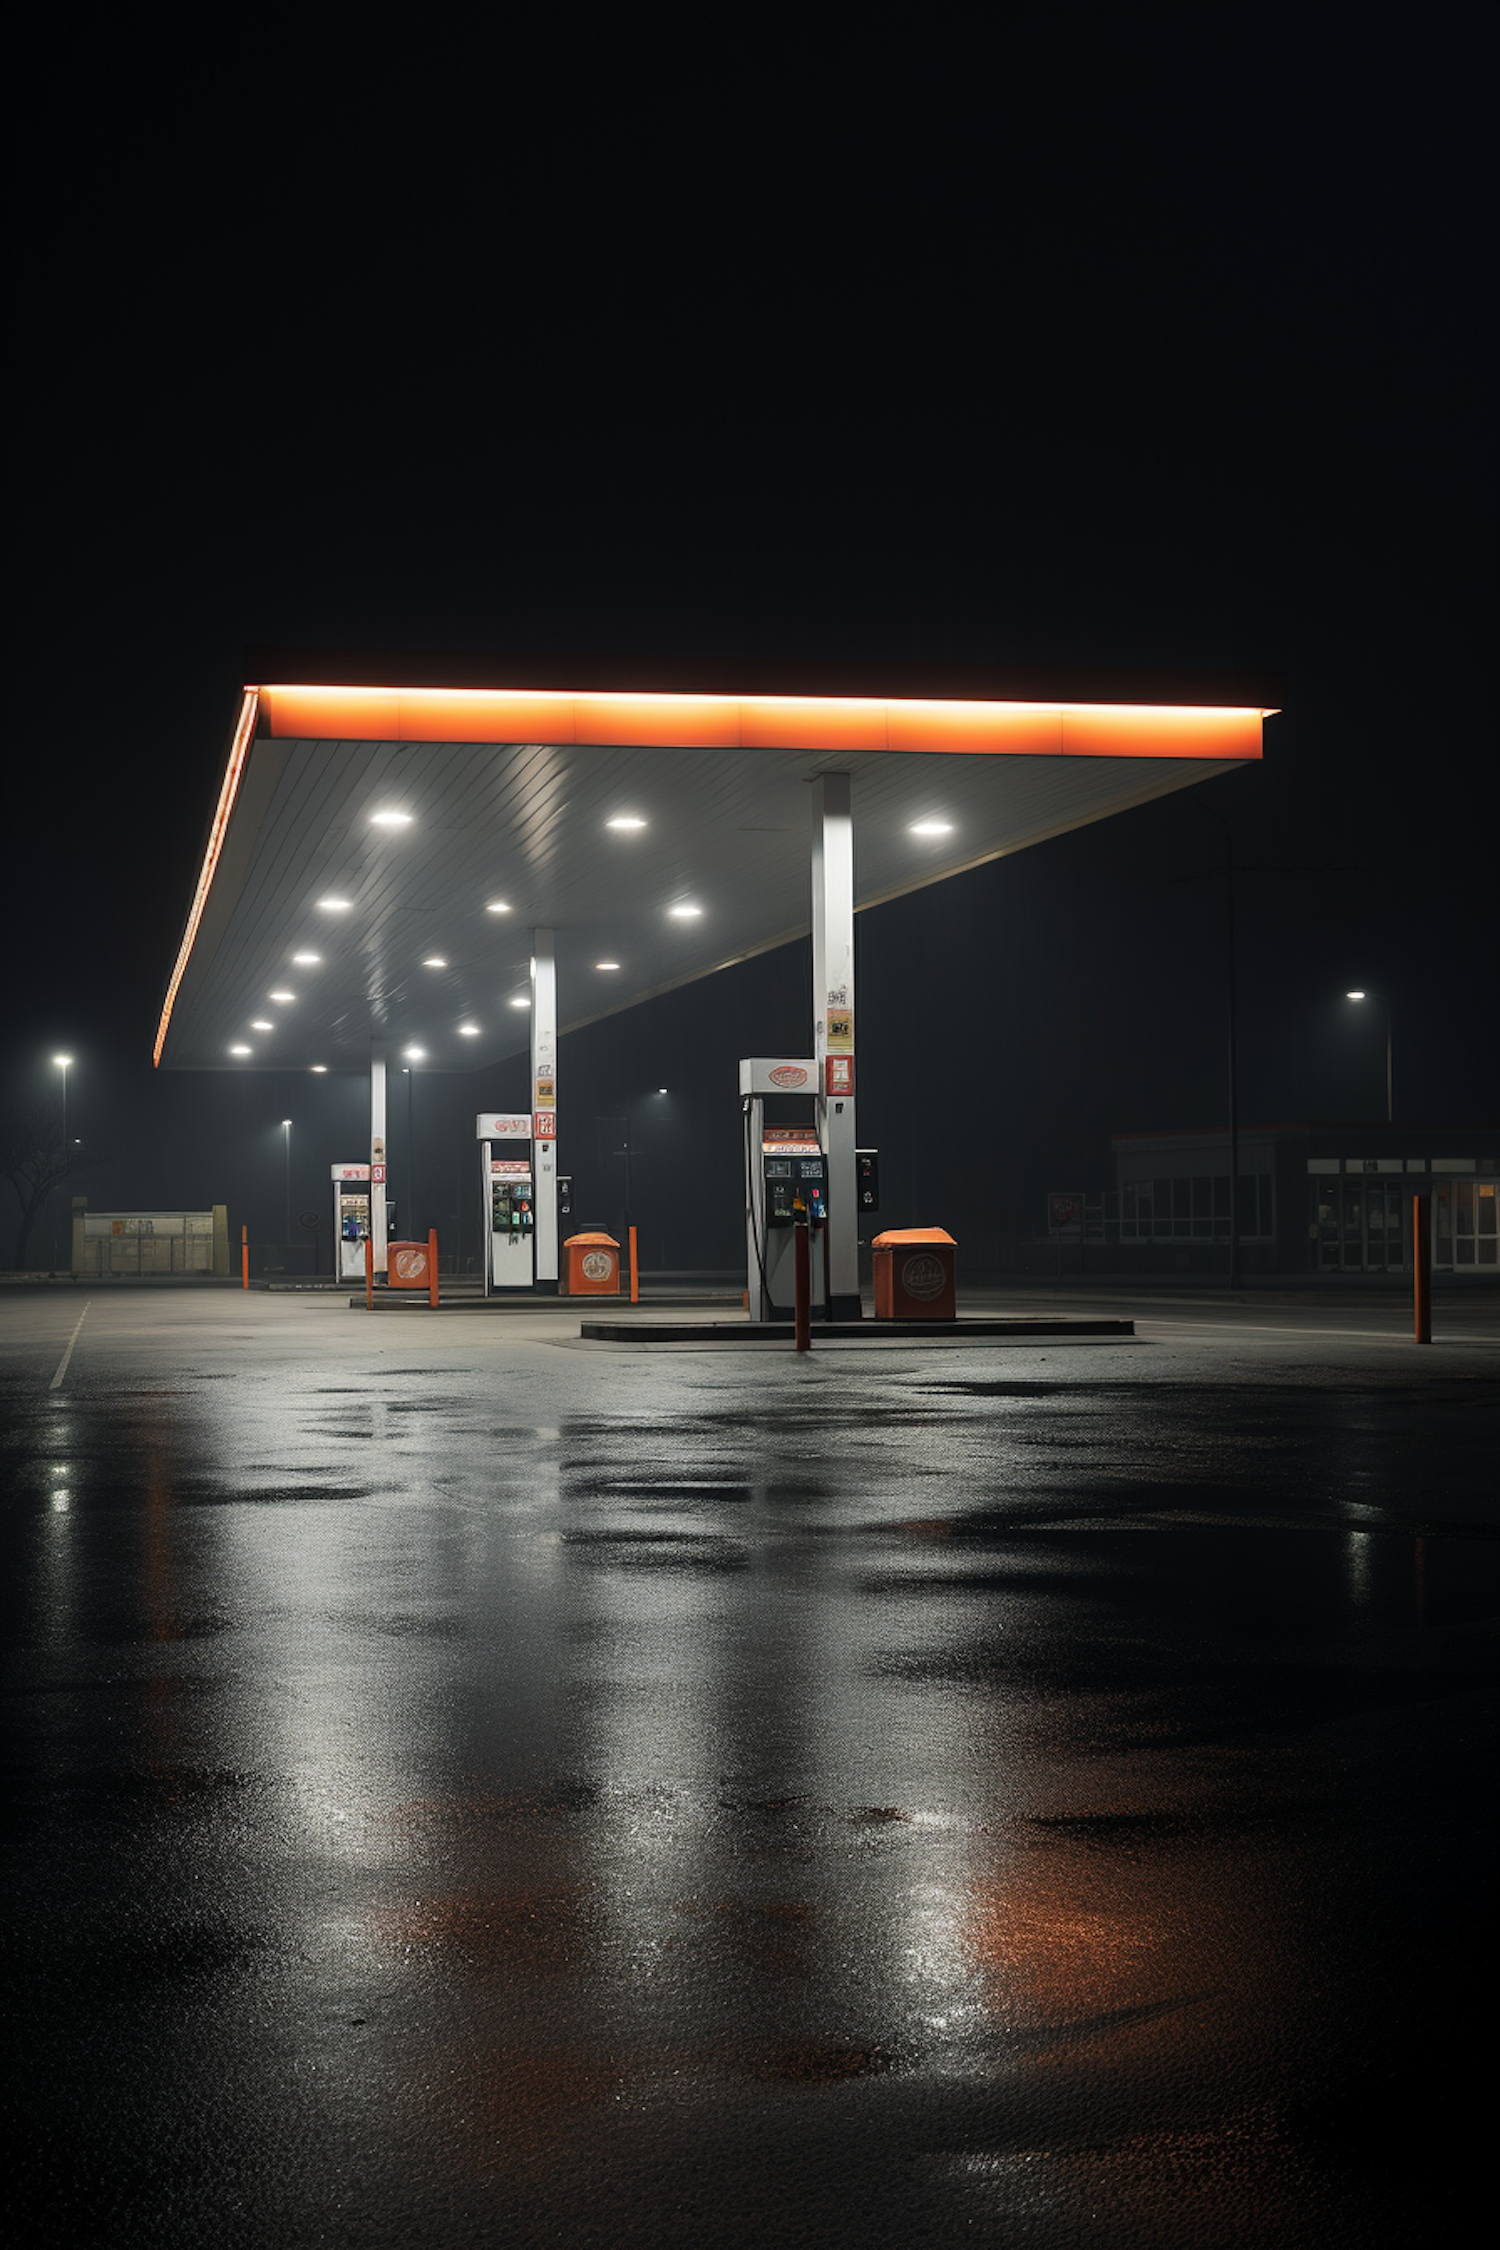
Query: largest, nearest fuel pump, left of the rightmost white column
[[784, 1164]]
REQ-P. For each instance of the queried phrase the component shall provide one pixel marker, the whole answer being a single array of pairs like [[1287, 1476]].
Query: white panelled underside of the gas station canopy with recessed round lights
[[415, 951]]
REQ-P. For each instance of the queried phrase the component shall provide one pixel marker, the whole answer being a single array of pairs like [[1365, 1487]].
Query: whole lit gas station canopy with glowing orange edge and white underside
[[390, 834]]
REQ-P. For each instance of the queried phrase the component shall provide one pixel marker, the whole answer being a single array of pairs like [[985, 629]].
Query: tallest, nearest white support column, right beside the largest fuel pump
[[833, 1029]]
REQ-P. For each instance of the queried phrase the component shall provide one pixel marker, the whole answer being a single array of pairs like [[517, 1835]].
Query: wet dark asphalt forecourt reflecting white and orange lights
[[478, 1788]]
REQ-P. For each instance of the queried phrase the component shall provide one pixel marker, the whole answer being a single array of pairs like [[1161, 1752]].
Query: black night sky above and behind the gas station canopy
[[842, 363]]
